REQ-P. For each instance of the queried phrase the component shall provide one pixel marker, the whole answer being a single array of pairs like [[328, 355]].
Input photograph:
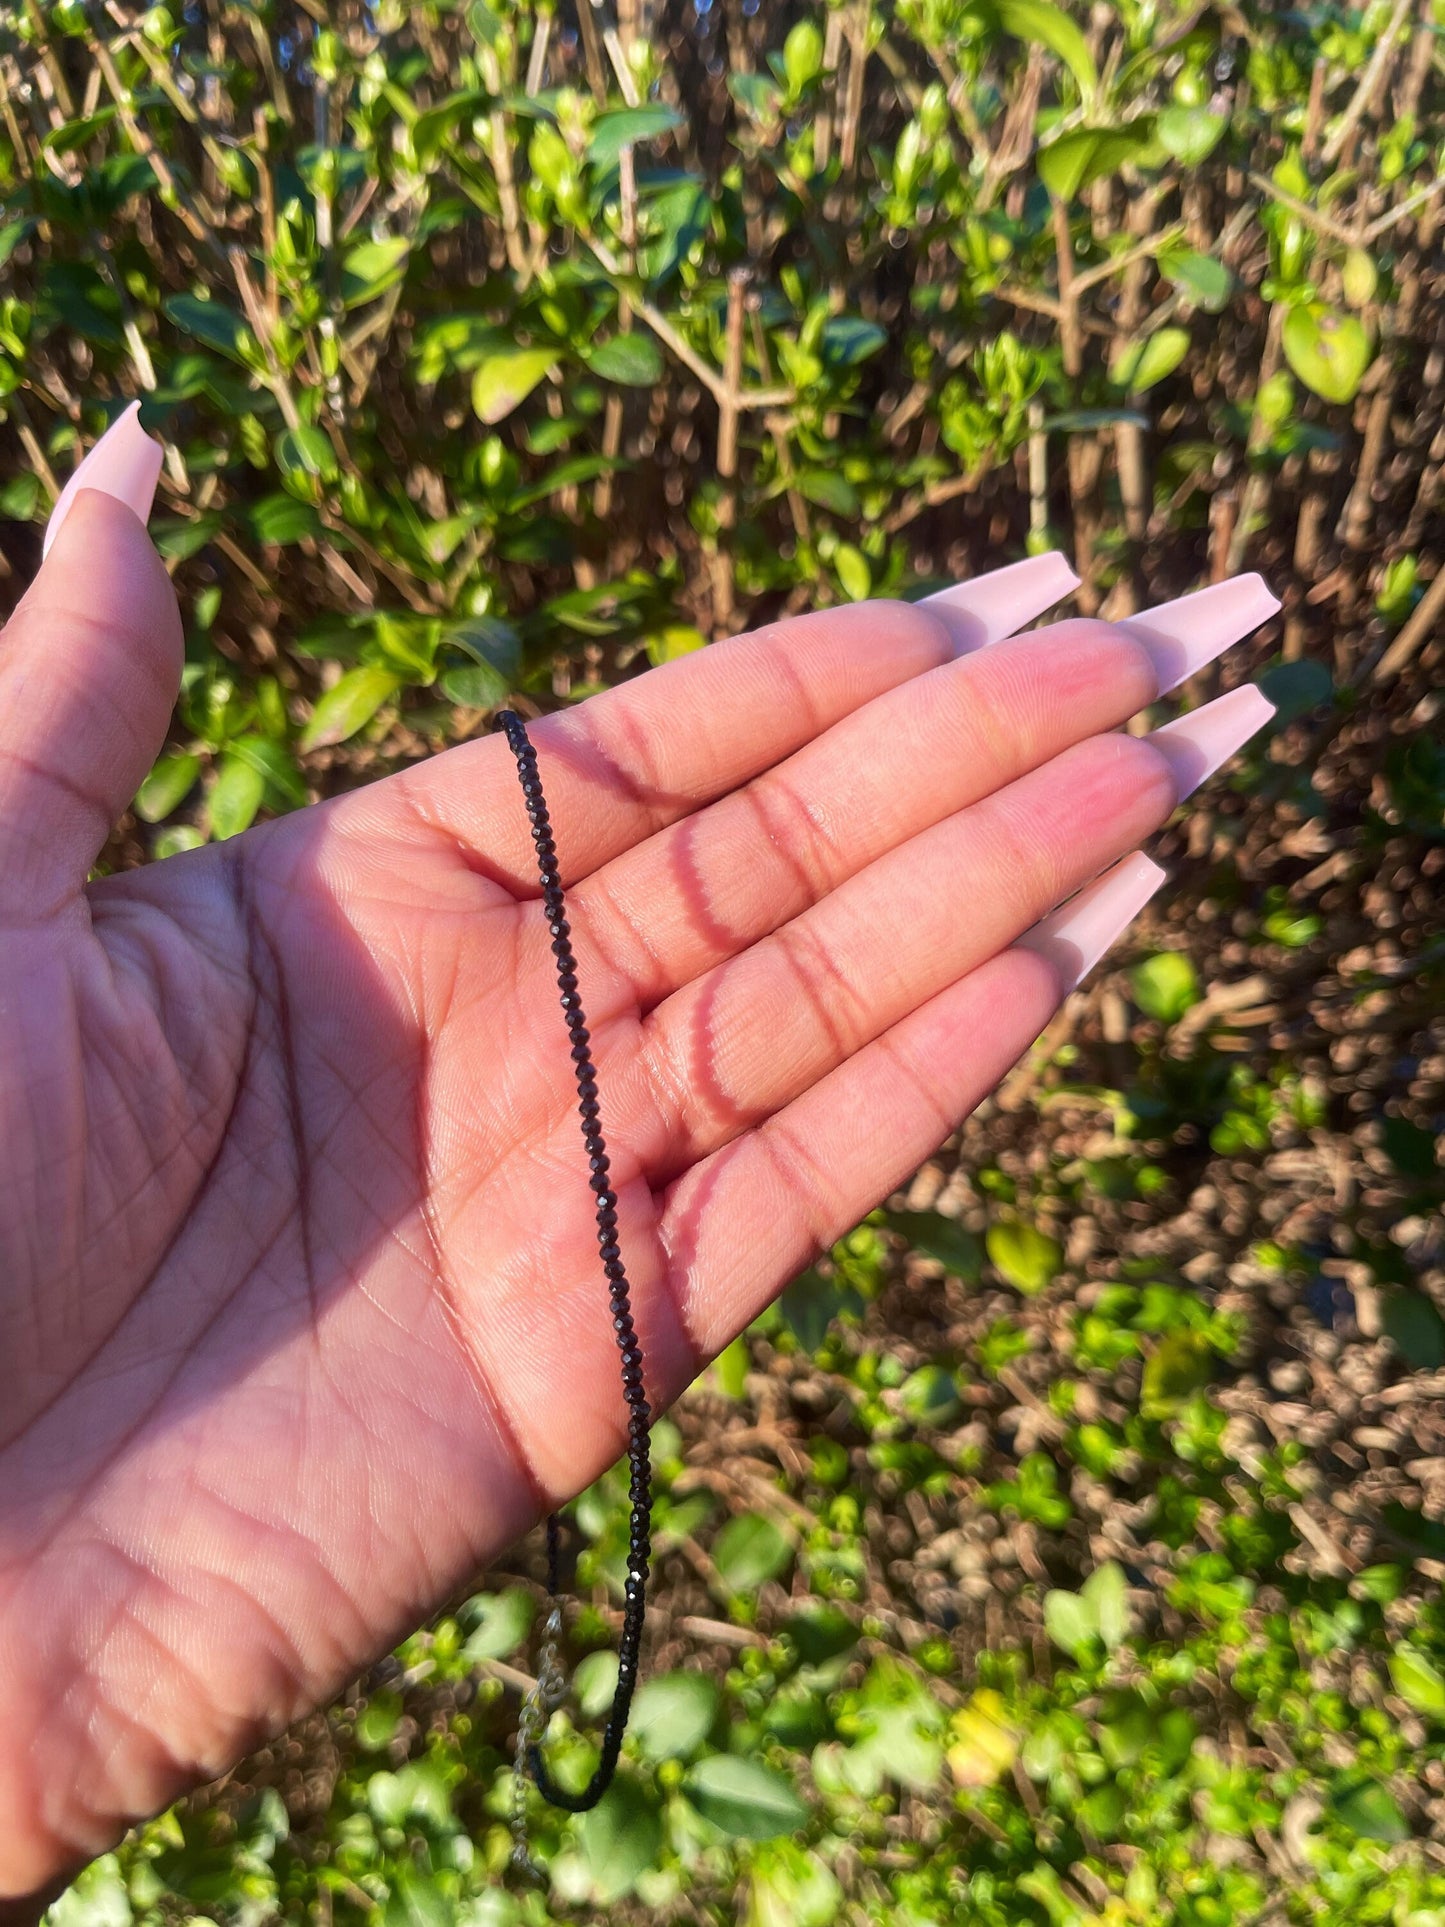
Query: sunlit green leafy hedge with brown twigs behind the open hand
[[1066, 1546]]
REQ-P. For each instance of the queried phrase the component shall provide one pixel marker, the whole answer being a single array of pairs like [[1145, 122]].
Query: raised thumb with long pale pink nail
[[90, 670]]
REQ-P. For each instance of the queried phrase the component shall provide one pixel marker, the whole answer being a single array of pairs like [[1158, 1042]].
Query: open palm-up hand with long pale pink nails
[[300, 1290]]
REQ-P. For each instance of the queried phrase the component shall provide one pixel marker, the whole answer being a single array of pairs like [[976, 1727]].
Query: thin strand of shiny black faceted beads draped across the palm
[[617, 1286]]
